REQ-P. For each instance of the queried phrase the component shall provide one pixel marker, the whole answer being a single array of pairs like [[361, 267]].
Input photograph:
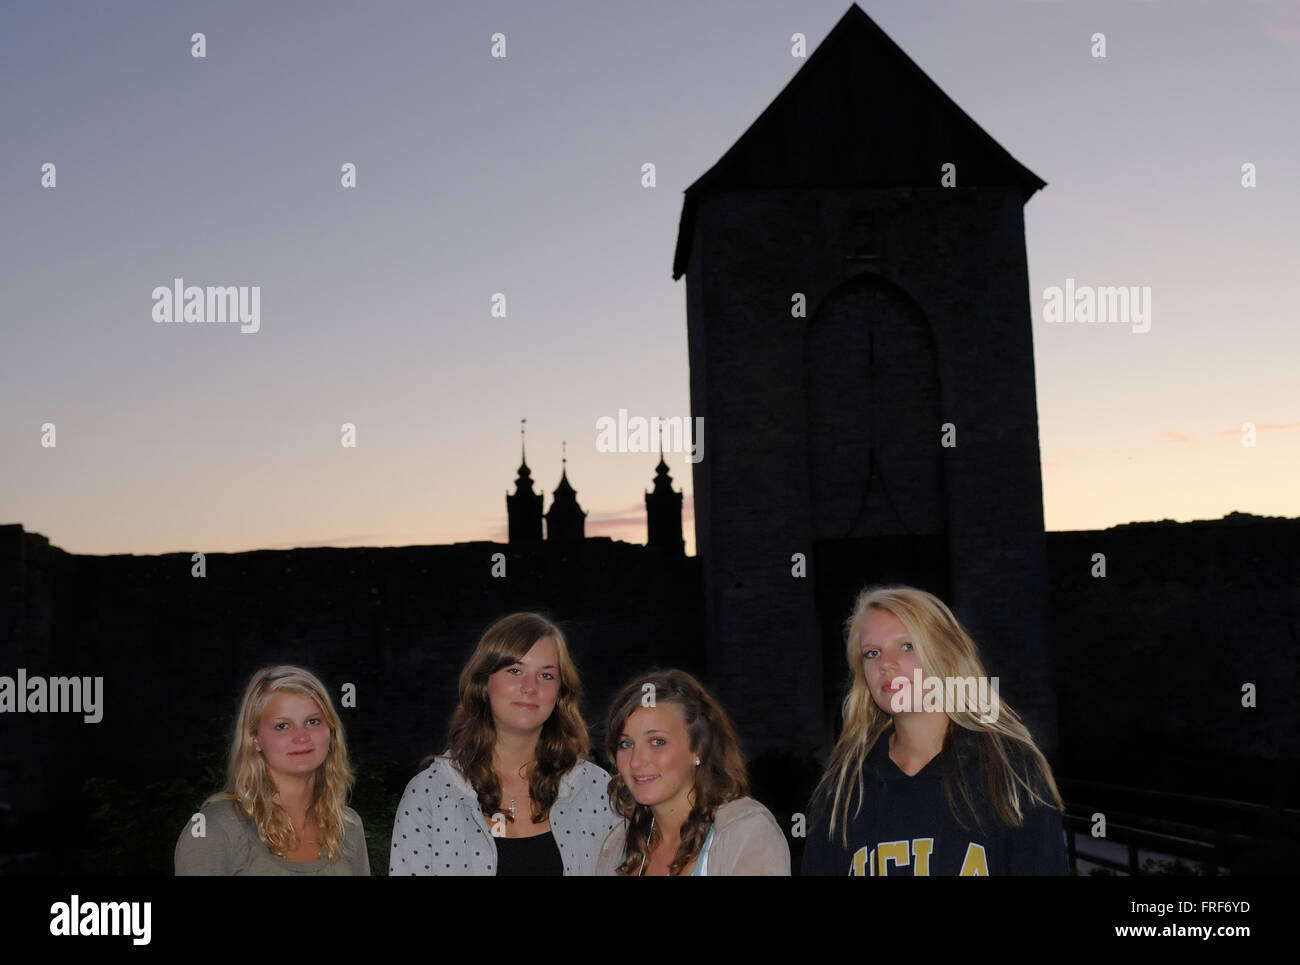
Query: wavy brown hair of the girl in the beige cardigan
[[720, 778]]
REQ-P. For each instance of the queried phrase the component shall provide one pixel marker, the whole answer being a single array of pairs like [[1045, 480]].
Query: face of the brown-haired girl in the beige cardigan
[[656, 760]]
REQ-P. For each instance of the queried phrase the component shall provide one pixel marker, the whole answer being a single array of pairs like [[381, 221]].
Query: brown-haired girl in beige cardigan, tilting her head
[[682, 787]]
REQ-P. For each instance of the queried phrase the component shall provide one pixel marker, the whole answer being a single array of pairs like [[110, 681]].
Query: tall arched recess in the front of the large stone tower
[[877, 474]]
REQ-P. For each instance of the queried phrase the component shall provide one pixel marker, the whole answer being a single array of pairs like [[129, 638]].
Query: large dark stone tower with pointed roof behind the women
[[861, 349]]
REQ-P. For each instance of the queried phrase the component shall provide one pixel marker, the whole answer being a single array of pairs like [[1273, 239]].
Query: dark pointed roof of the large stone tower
[[859, 114]]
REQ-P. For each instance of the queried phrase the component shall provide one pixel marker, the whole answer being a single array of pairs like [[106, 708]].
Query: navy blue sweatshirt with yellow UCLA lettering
[[907, 826]]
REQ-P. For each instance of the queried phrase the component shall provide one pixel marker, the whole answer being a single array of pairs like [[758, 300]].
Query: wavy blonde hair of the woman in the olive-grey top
[[249, 785]]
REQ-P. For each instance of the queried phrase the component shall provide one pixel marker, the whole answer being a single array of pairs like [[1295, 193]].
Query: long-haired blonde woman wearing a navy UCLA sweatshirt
[[922, 786]]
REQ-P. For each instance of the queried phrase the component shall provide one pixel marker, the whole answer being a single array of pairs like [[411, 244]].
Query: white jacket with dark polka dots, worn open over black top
[[440, 828]]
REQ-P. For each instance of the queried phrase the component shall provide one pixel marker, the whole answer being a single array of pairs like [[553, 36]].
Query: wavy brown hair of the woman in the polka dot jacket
[[473, 733]]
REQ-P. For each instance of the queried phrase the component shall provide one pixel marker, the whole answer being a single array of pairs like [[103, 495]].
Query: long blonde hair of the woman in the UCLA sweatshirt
[[1004, 752]]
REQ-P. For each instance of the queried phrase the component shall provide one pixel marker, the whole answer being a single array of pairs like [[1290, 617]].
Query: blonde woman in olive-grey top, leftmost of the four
[[285, 806]]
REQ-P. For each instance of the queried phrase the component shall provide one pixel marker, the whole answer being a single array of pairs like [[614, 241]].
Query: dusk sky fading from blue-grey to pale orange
[[523, 176]]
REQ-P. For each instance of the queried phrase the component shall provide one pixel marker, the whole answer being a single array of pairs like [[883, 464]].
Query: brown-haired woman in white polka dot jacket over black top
[[513, 795]]
